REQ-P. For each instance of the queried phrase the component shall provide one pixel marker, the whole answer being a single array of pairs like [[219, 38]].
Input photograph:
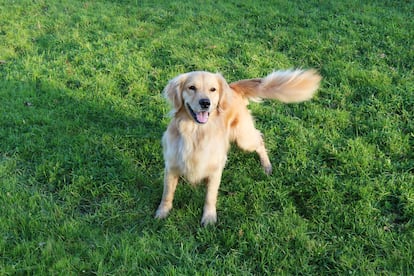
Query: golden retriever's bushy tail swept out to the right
[[286, 86]]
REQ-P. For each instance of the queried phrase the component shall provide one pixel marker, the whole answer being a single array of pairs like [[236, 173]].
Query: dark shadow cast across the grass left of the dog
[[99, 158]]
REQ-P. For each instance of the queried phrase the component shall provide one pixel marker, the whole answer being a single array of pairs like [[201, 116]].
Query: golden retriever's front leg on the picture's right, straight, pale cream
[[210, 214]]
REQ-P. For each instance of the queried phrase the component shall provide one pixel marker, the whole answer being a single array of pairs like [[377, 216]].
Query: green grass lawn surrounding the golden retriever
[[81, 117]]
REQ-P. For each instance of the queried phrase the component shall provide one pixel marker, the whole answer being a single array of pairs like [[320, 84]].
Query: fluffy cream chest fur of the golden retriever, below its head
[[192, 154]]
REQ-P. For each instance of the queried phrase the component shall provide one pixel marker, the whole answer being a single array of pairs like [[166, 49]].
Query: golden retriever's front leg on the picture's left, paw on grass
[[170, 183]]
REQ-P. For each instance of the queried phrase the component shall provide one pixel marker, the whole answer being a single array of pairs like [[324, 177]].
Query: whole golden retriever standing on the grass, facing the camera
[[207, 115]]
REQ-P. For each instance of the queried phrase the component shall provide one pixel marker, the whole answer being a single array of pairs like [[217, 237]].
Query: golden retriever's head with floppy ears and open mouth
[[199, 93]]
